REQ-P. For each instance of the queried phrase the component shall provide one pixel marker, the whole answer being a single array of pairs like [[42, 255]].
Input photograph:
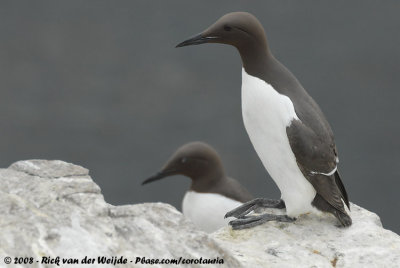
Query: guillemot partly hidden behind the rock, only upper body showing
[[212, 193]]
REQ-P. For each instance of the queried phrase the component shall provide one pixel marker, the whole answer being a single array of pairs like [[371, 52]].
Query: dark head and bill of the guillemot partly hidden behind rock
[[196, 160]]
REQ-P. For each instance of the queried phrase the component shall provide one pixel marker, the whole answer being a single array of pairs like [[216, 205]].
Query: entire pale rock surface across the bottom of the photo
[[53, 208]]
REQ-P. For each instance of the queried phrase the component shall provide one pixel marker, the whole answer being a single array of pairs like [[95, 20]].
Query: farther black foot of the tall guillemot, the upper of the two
[[250, 206]]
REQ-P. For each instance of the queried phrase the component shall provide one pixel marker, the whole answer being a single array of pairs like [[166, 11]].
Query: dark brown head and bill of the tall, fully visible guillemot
[[239, 29]]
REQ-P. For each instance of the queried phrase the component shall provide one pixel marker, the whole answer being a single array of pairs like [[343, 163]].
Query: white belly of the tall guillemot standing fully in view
[[266, 114]]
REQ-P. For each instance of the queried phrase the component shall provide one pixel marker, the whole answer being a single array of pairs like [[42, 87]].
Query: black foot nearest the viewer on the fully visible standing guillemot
[[251, 221]]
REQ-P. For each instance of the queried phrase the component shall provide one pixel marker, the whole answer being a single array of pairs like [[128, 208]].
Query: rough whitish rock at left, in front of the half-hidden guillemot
[[53, 208]]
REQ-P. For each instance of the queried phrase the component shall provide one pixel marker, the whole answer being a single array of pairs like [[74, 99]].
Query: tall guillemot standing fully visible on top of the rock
[[286, 127]]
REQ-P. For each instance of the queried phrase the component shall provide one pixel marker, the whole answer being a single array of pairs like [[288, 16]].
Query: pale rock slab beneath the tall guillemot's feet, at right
[[313, 241]]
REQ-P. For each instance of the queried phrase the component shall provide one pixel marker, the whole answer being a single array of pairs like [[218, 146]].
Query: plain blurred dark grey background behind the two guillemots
[[100, 84]]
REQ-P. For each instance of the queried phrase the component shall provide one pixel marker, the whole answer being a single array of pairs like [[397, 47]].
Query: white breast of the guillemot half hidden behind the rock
[[207, 210]]
